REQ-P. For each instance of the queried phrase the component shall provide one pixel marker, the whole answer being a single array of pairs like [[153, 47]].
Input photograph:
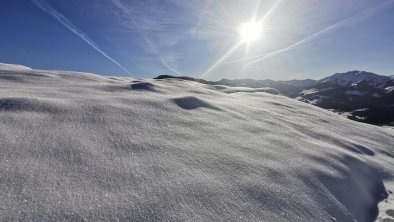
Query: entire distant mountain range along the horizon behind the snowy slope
[[359, 95]]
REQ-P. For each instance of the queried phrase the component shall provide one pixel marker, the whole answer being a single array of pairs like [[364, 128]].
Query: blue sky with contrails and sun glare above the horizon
[[199, 38]]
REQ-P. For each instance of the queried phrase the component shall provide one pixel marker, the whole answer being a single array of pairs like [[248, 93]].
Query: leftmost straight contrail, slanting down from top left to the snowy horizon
[[43, 5]]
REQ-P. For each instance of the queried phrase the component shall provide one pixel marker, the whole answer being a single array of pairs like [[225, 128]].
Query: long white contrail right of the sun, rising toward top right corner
[[309, 38]]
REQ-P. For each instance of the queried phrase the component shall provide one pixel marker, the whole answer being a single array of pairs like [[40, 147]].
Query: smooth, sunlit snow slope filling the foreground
[[78, 147]]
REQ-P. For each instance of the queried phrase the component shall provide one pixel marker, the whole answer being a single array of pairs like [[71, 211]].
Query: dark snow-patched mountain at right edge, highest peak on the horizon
[[361, 96]]
